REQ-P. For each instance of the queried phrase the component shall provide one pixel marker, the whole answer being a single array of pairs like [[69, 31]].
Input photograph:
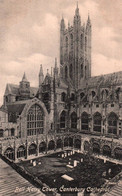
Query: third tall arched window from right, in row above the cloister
[[84, 121]]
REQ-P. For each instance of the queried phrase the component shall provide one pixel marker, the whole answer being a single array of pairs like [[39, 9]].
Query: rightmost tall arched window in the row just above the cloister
[[112, 123]]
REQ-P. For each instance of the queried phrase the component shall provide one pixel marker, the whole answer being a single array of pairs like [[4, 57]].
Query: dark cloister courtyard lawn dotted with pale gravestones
[[71, 169]]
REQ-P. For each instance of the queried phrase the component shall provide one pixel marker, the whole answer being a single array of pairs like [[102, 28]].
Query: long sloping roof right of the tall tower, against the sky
[[106, 80]]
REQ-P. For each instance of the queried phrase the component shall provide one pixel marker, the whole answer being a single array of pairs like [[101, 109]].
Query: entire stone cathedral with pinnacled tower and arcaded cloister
[[69, 108]]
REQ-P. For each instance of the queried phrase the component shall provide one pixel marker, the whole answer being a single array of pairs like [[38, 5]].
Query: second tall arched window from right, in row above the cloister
[[97, 122]]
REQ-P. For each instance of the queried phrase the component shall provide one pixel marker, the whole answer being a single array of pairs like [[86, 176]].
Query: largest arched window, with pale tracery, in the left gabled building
[[35, 120]]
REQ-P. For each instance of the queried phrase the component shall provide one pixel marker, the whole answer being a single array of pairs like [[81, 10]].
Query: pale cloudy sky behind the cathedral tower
[[30, 36]]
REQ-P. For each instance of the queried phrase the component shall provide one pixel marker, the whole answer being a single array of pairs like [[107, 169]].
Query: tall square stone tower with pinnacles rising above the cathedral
[[75, 50]]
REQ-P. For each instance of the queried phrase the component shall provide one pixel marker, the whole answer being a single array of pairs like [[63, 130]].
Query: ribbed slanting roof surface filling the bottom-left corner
[[12, 184]]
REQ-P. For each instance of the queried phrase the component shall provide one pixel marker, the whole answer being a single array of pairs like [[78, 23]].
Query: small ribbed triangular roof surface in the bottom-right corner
[[116, 190]]
